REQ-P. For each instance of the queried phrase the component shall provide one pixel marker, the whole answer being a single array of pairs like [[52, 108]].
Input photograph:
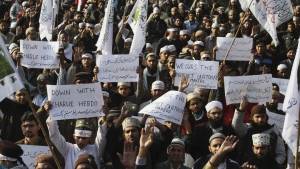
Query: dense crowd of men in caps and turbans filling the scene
[[212, 135]]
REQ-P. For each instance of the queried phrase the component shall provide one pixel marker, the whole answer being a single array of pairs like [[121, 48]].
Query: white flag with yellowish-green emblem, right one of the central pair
[[137, 20]]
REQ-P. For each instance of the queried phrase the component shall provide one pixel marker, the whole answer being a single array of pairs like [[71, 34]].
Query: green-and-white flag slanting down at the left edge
[[9, 78]]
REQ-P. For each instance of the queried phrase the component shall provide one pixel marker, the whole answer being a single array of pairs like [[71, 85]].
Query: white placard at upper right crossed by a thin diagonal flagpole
[[240, 51]]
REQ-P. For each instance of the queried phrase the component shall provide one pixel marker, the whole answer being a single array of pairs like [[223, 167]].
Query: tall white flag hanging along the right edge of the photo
[[291, 107]]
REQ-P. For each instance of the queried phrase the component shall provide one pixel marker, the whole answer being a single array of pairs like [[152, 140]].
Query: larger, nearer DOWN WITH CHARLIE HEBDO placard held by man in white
[[75, 101]]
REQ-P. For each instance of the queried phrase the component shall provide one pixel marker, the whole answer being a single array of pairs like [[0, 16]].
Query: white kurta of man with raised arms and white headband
[[72, 151]]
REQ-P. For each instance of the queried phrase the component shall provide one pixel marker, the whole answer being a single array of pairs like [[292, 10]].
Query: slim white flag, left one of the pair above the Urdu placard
[[104, 42]]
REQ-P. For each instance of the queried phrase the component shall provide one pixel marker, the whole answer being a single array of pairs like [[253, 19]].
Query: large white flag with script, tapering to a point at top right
[[270, 13]]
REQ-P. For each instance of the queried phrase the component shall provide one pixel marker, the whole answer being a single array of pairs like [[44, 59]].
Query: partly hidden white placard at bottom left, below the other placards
[[31, 152]]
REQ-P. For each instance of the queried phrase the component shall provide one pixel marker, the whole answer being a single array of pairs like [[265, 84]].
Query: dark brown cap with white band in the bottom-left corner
[[9, 151]]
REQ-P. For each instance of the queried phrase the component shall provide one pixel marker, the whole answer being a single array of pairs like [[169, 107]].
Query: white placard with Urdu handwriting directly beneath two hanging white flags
[[117, 68]]
